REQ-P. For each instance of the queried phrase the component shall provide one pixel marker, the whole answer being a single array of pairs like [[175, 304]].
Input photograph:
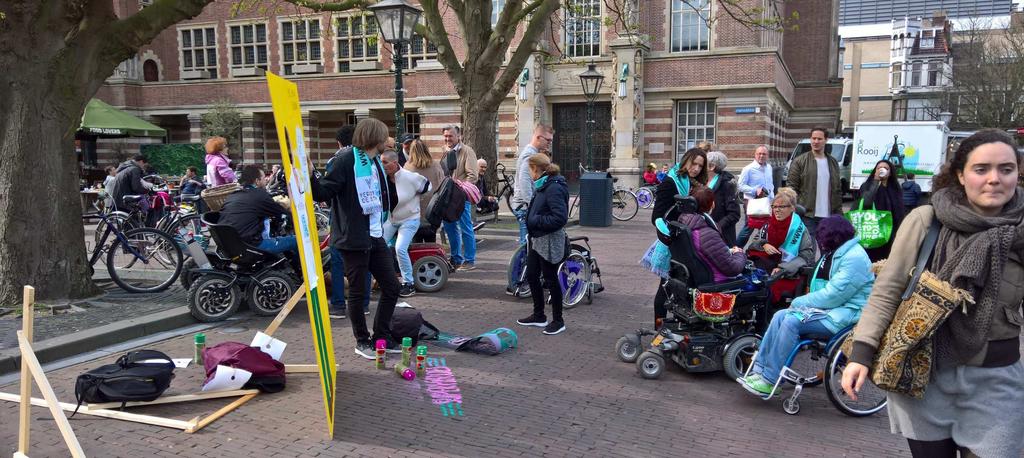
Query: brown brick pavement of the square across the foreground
[[553, 396]]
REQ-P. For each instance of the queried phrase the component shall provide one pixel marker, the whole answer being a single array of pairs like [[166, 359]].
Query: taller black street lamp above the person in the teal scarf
[[397, 20]]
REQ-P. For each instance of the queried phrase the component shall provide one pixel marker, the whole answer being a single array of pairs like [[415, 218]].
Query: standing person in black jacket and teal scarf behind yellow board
[[362, 196]]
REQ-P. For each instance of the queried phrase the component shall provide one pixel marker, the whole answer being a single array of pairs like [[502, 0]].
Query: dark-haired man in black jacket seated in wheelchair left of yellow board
[[250, 211]]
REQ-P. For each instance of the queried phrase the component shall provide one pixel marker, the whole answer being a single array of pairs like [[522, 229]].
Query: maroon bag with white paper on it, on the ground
[[269, 374]]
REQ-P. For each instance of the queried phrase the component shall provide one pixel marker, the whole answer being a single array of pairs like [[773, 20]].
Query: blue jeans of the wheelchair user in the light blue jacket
[[782, 337]]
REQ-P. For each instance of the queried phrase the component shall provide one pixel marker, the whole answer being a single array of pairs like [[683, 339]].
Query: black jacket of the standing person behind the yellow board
[[350, 228]]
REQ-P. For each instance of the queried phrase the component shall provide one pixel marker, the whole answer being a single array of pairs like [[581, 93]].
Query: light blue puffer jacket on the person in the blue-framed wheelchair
[[845, 295]]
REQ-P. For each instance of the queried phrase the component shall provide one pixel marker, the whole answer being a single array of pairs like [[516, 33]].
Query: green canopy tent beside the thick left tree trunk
[[102, 120]]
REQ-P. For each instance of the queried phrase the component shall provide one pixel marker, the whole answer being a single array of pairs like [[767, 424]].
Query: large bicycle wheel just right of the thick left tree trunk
[[145, 261]]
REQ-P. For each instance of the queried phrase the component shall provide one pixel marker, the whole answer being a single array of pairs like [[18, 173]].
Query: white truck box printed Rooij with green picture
[[913, 147]]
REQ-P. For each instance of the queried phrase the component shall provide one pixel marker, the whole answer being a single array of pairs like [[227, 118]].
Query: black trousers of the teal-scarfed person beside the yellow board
[[378, 261]]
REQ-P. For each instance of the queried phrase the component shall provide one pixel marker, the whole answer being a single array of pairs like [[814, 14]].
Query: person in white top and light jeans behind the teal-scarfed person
[[405, 221]]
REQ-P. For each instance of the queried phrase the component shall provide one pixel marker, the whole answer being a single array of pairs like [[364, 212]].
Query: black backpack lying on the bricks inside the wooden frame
[[129, 380]]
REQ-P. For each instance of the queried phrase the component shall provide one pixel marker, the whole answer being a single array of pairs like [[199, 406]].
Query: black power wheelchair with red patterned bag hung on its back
[[711, 326]]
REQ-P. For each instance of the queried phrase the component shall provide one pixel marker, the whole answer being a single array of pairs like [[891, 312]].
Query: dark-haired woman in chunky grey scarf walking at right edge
[[974, 398]]
